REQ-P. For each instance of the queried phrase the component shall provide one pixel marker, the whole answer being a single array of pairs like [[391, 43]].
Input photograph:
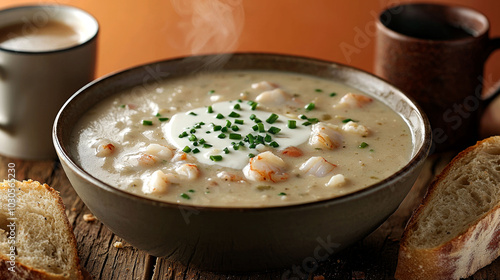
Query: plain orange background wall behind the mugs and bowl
[[139, 31]]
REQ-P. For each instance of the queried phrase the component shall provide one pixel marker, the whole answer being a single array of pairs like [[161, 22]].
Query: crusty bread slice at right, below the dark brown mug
[[456, 229]]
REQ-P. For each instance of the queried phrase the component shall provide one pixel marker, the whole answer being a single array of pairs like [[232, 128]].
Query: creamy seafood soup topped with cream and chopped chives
[[245, 138]]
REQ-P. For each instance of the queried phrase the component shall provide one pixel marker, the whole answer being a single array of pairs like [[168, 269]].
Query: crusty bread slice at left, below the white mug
[[45, 245]]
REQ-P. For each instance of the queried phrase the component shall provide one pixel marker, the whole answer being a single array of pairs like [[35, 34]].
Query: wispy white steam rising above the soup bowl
[[210, 26]]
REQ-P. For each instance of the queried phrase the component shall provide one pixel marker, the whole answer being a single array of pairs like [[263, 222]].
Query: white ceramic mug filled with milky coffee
[[36, 78]]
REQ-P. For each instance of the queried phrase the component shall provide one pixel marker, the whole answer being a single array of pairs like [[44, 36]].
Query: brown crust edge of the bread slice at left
[[23, 271]]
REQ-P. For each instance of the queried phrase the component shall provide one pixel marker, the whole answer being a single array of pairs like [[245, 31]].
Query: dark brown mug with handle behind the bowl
[[436, 54]]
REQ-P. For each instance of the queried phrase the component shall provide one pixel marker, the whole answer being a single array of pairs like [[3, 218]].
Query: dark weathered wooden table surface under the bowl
[[374, 257]]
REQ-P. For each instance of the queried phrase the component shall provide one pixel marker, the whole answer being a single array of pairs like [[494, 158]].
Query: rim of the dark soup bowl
[[418, 158]]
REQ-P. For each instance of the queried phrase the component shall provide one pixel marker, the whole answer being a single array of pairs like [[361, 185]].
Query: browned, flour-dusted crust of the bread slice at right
[[464, 254]]
